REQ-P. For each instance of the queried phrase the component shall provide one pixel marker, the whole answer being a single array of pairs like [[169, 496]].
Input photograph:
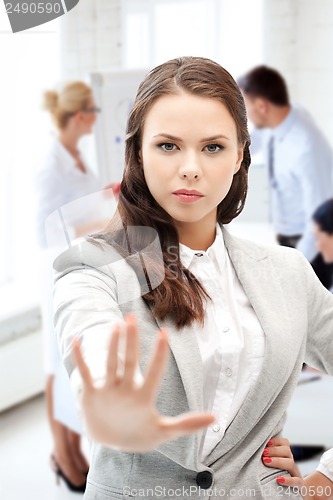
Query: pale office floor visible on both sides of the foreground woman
[[25, 443]]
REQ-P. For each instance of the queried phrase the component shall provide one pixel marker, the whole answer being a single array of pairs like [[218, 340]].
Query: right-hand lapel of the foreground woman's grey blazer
[[260, 281]]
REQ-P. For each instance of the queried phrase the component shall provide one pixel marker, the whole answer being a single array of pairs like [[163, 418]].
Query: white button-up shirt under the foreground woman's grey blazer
[[231, 342]]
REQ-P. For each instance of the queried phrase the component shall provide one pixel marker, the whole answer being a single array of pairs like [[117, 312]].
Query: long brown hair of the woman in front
[[180, 295]]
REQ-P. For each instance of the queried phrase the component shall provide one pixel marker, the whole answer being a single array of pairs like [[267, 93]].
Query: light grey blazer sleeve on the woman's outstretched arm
[[86, 307]]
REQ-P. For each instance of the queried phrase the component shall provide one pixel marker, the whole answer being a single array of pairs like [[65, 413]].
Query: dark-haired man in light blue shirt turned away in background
[[299, 160]]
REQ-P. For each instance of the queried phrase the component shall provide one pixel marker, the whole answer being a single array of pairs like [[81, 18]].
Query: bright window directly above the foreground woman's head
[[228, 31]]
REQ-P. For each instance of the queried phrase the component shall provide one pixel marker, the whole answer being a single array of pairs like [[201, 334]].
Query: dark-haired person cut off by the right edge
[[323, 230]]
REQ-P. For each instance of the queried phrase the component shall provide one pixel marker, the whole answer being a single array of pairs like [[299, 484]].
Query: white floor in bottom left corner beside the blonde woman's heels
[[25, 446]]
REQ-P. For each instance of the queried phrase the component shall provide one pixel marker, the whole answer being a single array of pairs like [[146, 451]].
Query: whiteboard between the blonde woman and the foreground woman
[[114, 93]]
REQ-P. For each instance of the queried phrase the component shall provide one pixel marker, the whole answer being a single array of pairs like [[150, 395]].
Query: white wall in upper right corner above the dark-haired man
[[299, 43]]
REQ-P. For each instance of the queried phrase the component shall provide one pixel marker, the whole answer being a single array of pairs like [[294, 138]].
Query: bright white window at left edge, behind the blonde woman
[[30, 63]]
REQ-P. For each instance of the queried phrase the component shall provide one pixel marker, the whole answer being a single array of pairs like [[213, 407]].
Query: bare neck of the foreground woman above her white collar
[[197, 235]]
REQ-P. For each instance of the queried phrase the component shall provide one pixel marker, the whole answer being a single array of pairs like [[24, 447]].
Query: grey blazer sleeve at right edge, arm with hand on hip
[[319, 351]]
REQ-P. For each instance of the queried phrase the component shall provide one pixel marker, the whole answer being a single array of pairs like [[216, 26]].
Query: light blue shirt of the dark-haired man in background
[[303, 168]]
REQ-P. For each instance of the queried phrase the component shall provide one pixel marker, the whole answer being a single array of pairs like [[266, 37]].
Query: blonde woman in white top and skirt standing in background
[[63, 178]]
